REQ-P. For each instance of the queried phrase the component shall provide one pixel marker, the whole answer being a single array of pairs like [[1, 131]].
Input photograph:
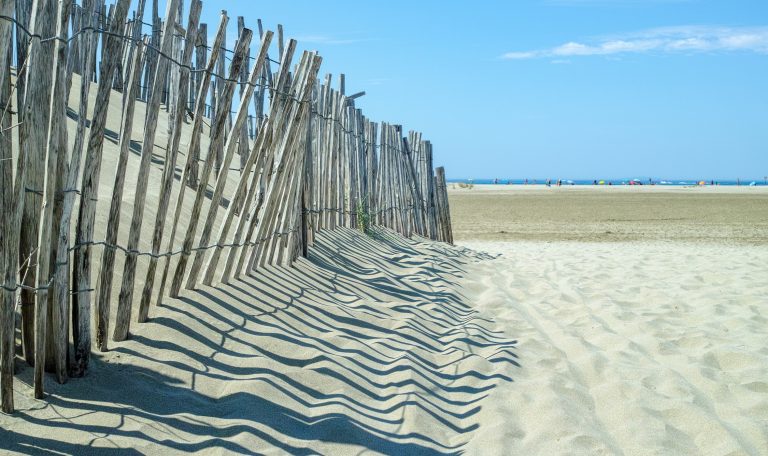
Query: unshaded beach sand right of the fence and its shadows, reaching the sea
[[641, 315]]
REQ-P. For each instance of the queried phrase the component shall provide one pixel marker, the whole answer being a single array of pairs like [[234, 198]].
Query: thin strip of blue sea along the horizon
[[619, 181]]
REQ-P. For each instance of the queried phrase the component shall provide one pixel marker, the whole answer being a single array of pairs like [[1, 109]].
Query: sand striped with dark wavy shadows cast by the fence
[[367, 344]]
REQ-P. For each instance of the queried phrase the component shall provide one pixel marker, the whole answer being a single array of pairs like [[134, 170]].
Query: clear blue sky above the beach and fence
[[551, 88]]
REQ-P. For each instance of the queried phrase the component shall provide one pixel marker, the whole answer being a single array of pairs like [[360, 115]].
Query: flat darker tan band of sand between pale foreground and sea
[[725, 215]]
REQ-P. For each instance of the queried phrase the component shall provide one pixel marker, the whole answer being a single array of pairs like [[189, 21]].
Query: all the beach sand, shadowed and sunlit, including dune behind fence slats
[[618, 322]]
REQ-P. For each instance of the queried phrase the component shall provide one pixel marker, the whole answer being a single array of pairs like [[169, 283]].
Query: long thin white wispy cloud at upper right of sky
[[660, 40]]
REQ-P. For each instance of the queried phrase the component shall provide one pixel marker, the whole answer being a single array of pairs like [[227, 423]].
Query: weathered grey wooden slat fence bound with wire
[[309, 160]]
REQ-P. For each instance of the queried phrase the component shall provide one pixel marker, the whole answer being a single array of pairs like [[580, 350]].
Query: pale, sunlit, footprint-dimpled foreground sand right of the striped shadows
[[638, 348]]
